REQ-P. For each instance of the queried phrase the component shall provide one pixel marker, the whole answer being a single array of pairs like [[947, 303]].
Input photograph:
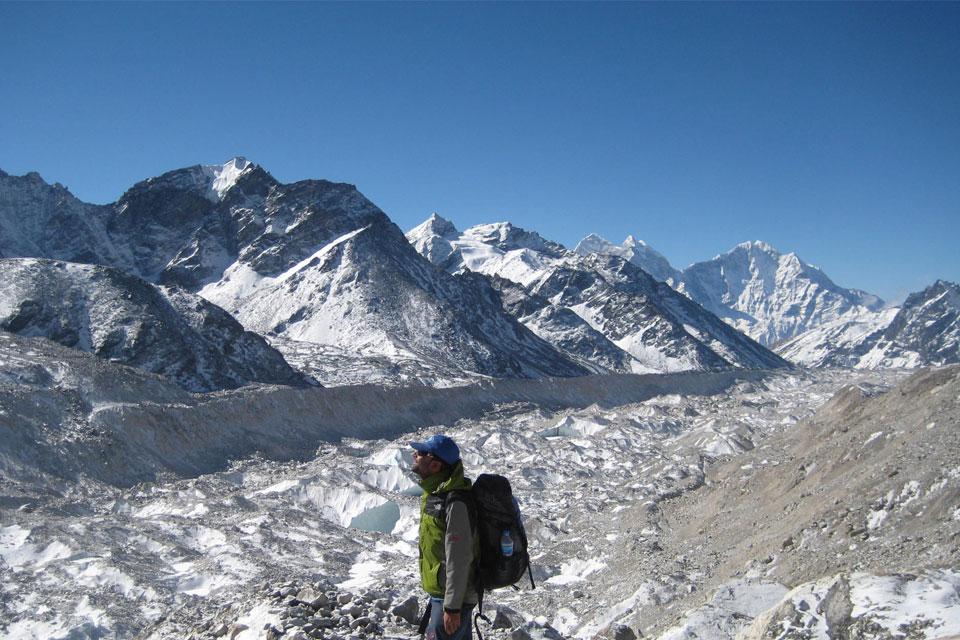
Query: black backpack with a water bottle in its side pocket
[[496, 520]]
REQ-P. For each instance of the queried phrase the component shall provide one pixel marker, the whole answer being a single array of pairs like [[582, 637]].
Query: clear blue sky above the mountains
[[831, 130]]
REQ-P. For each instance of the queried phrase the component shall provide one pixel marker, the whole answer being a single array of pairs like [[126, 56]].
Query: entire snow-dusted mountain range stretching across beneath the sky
[[328, 280]]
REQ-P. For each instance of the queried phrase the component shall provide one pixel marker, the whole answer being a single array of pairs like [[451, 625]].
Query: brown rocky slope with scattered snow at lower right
[[867, 487]]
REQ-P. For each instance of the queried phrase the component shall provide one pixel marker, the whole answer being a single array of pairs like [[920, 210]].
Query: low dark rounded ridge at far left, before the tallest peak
[[122, 318]]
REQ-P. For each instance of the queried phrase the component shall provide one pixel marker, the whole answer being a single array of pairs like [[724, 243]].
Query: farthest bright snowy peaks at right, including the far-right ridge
[[794, 308]]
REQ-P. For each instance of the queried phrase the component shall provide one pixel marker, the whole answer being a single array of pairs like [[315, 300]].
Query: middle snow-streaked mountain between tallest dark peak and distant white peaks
[[601, 310]]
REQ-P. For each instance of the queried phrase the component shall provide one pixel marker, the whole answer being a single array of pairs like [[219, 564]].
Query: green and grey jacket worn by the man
[[447, 545]]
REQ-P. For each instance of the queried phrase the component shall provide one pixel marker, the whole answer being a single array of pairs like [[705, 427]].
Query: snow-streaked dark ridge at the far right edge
[[924, 331]]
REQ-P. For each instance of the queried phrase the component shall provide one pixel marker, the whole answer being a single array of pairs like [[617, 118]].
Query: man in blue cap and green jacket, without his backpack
[[447, 546]]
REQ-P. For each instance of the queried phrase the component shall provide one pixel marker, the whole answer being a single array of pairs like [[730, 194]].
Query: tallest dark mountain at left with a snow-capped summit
[[313, 260]]
